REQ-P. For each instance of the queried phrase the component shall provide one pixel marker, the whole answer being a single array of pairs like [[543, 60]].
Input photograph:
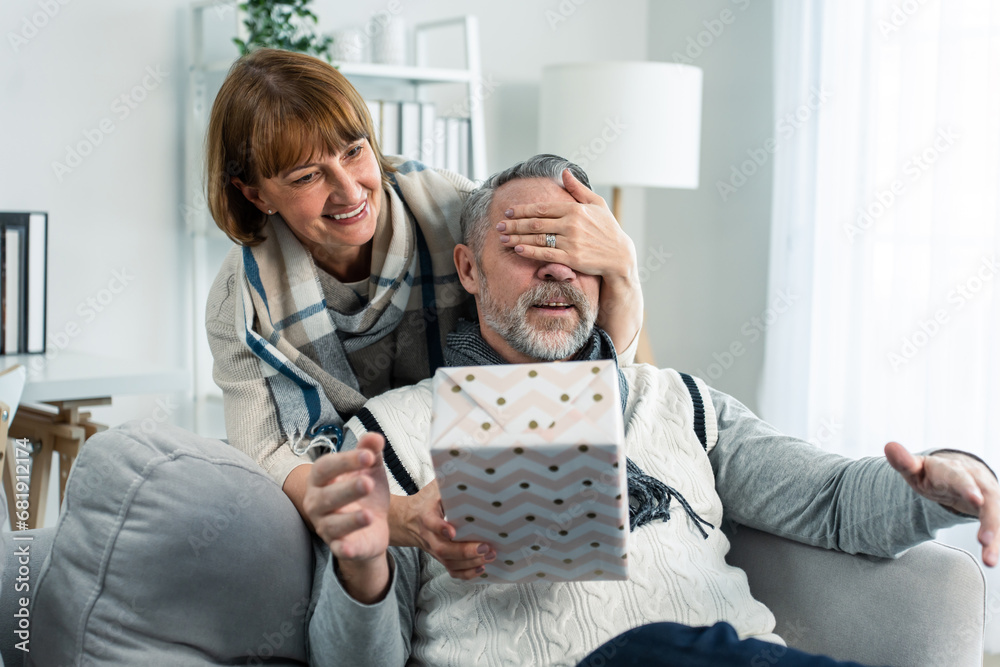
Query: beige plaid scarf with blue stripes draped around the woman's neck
[[303, 343]]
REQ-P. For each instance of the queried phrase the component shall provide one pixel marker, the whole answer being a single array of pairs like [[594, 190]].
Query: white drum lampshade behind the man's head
[[625, 123]]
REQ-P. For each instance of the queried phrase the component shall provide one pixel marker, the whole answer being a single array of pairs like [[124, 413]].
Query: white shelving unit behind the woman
[[213, 24]]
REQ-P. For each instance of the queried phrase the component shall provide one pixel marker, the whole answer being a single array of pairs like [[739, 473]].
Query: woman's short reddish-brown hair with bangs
[[274, 109]]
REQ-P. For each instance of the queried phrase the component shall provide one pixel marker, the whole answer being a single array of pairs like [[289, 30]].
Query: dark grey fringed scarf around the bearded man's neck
[[649, 498]]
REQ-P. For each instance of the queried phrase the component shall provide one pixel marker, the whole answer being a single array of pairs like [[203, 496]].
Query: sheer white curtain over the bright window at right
[[886, 226]]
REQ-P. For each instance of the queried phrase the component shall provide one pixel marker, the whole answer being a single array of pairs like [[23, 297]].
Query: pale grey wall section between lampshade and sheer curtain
[[704, 299]]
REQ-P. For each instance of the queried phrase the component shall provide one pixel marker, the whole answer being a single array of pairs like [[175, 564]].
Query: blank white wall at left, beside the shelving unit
[[117, 207]]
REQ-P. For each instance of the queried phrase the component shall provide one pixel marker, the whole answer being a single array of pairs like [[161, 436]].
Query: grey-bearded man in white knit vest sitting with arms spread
[[682, 603]]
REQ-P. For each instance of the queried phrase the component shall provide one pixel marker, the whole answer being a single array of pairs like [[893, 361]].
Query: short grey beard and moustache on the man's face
[[556, 341]]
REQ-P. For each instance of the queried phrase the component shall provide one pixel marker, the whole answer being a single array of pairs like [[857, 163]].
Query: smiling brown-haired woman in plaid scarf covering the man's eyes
[[342, 283]]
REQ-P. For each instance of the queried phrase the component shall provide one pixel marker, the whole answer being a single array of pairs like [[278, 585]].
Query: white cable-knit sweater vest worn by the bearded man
[[674, 573]]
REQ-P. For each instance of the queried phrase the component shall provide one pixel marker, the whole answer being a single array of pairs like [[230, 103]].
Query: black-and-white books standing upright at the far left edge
[[23, 258]]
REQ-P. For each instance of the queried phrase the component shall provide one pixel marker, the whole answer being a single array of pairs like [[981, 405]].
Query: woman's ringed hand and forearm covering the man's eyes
[[588, 240]]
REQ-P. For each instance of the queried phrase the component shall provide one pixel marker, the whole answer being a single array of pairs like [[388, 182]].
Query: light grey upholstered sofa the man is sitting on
[[177, 550]]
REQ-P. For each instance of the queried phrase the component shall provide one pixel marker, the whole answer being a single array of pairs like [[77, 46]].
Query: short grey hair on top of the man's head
[[476, 212]]
